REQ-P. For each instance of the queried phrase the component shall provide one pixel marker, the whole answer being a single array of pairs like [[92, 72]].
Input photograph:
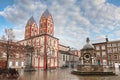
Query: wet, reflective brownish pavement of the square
[[61, 74]]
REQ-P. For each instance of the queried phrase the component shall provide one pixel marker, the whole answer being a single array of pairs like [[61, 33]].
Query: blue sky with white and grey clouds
[[74, 20]]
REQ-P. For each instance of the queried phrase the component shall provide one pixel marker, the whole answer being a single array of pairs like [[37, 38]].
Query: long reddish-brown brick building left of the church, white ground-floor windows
[[11, 53]]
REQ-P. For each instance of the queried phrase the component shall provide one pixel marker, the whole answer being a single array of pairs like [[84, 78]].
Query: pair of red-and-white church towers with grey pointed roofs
[[46, 26]]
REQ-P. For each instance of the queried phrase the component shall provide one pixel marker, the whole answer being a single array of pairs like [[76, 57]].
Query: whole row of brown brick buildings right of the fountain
[[108, 53]]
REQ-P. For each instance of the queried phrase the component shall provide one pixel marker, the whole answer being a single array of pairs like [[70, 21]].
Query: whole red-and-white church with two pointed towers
[[41, 37]]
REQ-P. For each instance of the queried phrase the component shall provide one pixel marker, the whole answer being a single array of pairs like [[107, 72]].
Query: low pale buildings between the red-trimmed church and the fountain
[[68, 57]]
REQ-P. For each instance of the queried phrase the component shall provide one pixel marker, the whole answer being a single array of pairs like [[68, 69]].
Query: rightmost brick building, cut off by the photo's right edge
[[113, 50]]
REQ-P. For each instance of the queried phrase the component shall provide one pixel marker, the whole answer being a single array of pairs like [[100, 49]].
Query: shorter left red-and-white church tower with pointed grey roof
[[31, 28]]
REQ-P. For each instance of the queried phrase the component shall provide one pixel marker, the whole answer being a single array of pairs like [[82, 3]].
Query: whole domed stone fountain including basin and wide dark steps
[[89, 65]]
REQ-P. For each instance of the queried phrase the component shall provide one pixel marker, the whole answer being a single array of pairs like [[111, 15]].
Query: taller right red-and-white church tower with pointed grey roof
[[46, 24]]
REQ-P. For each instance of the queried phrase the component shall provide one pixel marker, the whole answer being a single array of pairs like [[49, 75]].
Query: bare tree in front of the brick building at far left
[[9, 47]]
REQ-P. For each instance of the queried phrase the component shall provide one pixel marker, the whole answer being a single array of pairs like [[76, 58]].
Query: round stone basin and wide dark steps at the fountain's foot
[[90, 70]]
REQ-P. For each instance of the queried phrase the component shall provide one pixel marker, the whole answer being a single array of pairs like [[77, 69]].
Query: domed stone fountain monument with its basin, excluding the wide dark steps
[[88, 59]]
